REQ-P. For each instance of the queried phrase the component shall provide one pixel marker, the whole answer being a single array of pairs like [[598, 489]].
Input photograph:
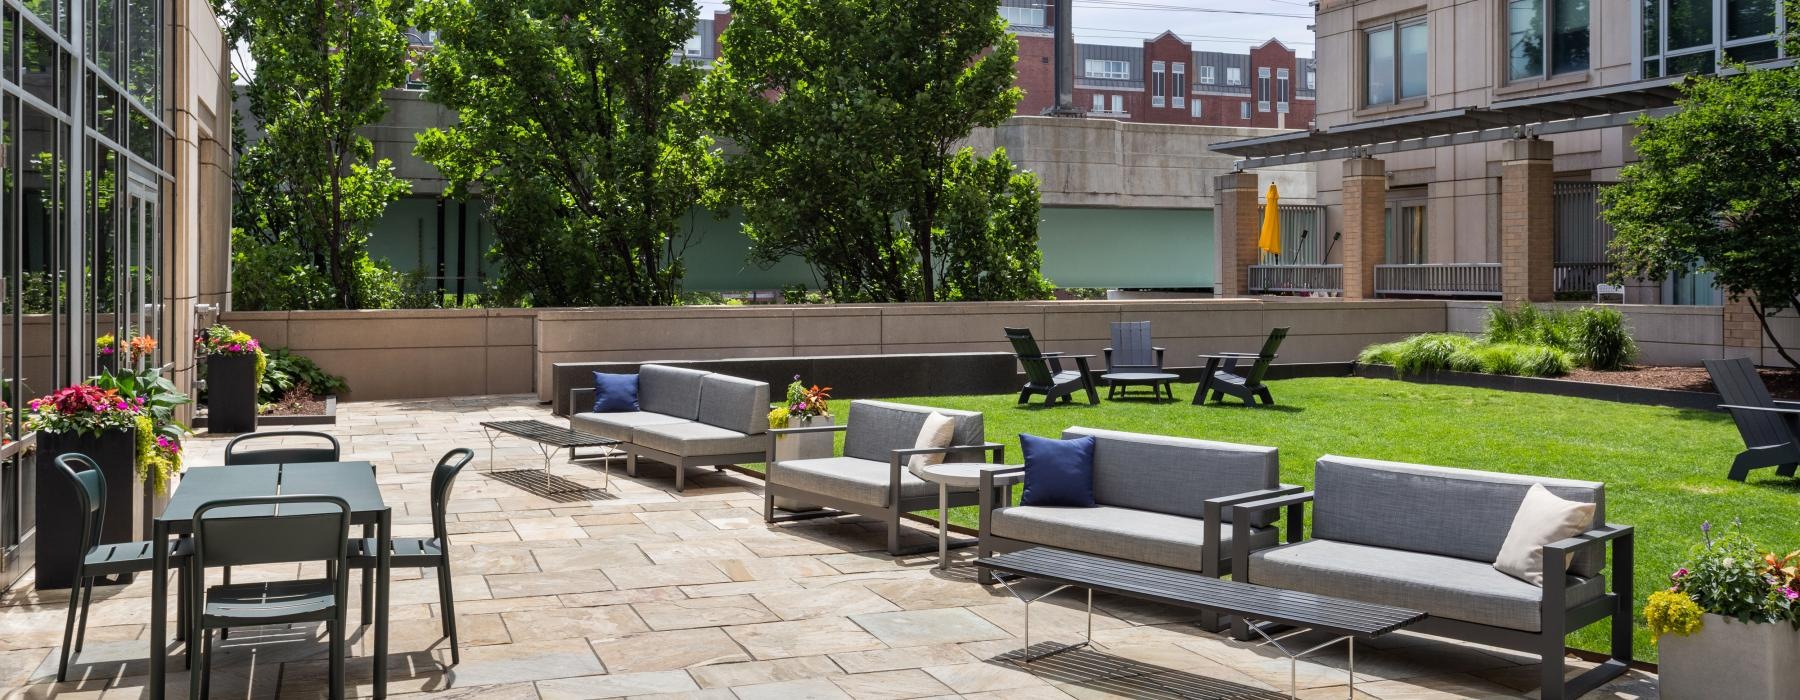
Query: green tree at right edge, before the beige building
[[1718, 190]]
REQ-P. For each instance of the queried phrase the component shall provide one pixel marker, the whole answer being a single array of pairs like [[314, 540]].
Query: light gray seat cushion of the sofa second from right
[[1160, 539]]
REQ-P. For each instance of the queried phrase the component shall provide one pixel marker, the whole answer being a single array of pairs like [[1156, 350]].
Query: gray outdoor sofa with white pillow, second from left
[[872, 474]]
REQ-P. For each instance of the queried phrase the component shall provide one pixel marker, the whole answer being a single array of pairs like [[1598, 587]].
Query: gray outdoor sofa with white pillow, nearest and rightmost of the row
[[1426, 537]]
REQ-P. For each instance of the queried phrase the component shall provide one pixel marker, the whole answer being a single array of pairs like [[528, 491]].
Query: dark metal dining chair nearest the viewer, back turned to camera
[[271, 530]]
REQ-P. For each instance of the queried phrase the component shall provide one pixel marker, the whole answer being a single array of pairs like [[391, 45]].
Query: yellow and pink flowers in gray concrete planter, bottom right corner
[[1729, 620]]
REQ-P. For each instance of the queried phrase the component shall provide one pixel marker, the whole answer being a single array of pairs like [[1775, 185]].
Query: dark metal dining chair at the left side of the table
[[96, 561]]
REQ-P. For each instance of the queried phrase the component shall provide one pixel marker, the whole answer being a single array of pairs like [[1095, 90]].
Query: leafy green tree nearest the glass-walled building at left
[[310, 190]]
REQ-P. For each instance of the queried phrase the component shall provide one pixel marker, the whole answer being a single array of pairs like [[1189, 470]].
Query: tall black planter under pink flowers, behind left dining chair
[[129, 507]]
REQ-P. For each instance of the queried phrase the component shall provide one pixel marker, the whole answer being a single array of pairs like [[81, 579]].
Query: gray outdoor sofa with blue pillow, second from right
[[1160, 501]]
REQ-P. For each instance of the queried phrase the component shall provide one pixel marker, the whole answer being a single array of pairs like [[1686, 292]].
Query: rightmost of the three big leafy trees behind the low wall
[[845, 114]]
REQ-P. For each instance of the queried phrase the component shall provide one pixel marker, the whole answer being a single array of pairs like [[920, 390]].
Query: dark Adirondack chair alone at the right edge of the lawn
[[1770, 427]]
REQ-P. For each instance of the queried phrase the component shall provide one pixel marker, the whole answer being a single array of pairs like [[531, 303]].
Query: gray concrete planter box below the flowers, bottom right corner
[[1725, 656]]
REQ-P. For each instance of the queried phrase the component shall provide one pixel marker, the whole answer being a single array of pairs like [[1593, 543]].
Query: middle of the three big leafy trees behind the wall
[[575, 125]]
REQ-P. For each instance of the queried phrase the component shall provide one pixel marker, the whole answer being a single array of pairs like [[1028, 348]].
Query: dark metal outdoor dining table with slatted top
[[350, 481]]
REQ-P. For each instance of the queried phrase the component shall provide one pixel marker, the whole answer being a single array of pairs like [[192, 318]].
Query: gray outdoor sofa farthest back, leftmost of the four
[[687, 418]]
